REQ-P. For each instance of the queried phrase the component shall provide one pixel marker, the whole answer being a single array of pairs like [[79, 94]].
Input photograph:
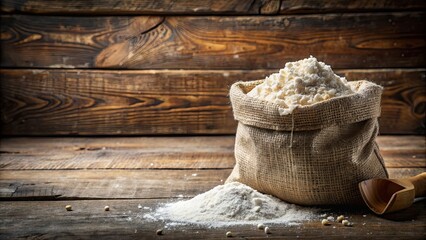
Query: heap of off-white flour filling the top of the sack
[[301, 83]]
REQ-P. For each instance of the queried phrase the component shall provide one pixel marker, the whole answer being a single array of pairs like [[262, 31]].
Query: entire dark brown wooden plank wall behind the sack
[[164, 67]]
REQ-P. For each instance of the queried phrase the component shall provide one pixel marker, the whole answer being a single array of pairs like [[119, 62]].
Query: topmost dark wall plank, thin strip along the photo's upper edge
[[194, 7]]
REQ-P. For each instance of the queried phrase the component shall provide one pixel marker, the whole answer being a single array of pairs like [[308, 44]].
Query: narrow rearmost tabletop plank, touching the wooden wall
[[178, 143]]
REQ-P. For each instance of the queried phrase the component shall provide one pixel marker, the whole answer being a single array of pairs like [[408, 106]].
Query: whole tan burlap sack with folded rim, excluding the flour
[[317, 155]]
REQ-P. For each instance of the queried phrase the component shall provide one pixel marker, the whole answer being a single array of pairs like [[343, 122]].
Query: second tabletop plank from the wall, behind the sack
[[156, 159]]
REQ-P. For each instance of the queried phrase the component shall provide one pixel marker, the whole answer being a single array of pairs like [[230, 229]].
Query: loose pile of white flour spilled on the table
[[231, 204]]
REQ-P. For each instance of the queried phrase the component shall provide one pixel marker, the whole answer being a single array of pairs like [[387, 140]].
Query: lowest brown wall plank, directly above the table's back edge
[[94, 102]]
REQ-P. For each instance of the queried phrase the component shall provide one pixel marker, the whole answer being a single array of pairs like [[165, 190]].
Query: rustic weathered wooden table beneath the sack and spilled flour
[[39, 176]]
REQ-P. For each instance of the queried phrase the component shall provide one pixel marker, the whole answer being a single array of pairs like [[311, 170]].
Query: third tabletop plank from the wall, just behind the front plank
[[120, 184]]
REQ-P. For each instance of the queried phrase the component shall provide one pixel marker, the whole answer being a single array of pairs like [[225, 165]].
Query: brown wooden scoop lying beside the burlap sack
[[391, 195]]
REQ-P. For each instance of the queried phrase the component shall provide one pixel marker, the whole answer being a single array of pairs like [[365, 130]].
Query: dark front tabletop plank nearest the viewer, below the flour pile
[[49, 220]]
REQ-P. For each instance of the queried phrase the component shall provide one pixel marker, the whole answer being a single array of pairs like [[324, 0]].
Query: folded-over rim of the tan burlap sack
[[361, 105]]
